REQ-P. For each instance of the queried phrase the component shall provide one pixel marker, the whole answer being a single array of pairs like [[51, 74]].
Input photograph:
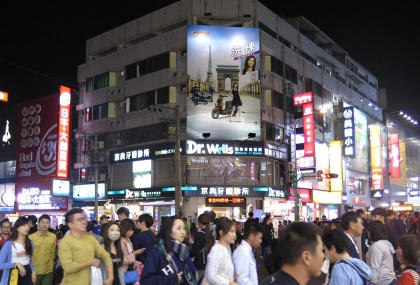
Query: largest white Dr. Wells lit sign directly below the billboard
[[224, 148]]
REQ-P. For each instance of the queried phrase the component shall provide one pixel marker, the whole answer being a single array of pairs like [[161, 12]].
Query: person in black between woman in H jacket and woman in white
[[198, 251]]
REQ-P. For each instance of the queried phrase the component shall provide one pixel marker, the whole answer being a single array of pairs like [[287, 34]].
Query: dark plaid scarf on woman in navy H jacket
[[183, 255]]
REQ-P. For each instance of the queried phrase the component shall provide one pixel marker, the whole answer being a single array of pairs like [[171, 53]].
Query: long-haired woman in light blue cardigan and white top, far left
[[17, 253]]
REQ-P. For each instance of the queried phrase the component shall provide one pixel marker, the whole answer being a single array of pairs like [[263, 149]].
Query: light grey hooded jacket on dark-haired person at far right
[[380, 260]]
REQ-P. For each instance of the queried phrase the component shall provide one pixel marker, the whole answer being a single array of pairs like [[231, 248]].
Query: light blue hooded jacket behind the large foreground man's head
[[350, 271]]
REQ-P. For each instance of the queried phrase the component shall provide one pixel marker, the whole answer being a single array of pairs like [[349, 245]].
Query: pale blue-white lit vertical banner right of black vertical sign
[[360, 160]]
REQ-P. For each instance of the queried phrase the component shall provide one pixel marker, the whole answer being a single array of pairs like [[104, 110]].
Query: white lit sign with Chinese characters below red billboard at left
[[34, 198]]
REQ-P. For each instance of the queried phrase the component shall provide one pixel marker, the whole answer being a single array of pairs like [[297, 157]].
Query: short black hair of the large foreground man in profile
[[296, 238]]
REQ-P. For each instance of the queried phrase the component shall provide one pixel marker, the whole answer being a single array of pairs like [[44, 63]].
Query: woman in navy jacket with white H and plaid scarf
[[170, 262]]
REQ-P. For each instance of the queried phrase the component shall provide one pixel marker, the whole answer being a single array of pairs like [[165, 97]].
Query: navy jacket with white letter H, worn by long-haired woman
[[158, 271]]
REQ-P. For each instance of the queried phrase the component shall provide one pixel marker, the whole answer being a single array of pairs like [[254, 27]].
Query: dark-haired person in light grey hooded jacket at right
[[380, 257]]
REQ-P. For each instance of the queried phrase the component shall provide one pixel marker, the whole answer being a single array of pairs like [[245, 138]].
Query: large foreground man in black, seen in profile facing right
[[301, 249]]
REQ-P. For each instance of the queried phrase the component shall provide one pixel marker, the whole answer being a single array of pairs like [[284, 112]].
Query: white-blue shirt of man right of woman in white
[[245, 264]]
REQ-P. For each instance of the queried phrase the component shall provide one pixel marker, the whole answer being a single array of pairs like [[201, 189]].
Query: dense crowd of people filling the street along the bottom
[[382, 250]]
